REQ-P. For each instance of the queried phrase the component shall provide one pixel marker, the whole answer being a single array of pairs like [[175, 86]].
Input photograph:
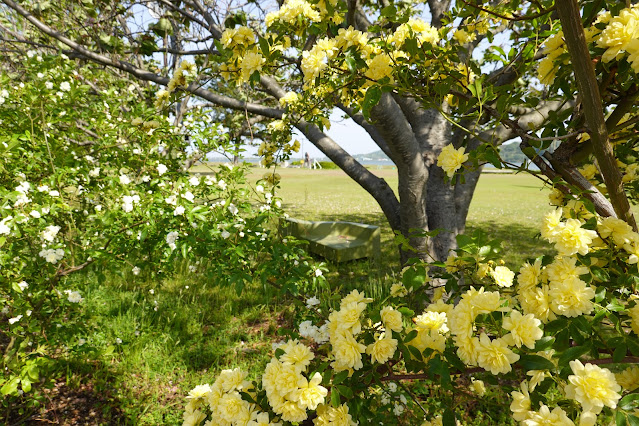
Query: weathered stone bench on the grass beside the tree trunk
[[336, 241]]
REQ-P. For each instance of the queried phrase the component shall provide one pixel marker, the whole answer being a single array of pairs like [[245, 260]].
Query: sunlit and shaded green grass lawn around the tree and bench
[[180, 332]]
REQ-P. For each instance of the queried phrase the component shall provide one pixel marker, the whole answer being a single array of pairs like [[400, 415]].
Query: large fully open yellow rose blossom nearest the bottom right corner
[[592, 386]]
